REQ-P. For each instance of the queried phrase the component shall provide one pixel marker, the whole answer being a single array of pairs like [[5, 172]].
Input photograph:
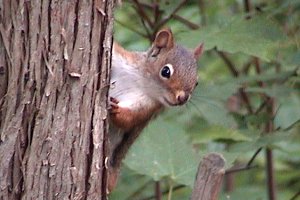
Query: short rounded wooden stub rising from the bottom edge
[[209, 178]]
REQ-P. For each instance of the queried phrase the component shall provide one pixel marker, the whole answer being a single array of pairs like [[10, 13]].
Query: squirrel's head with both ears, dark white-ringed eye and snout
[[174, 69]]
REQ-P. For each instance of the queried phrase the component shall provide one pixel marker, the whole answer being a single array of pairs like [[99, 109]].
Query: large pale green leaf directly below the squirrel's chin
[[163, 150]]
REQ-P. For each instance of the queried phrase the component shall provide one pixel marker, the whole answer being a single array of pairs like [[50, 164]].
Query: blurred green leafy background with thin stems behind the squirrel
[[246, 107]]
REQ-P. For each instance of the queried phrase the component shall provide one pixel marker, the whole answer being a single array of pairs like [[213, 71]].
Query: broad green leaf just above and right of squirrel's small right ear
[[258, 37]]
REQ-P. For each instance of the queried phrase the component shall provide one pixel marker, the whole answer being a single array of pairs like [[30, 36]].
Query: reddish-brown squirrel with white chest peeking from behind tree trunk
[[142, 85]]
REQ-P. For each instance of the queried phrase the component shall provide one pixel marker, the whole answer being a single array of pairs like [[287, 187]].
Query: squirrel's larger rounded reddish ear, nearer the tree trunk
[[164, 39]]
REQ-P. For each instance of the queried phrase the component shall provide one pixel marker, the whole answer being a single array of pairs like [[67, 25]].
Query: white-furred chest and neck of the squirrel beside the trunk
[[128, 85]]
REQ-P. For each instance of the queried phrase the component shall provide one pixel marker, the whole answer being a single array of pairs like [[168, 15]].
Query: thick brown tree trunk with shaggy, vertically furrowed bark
[[54, 77]]
